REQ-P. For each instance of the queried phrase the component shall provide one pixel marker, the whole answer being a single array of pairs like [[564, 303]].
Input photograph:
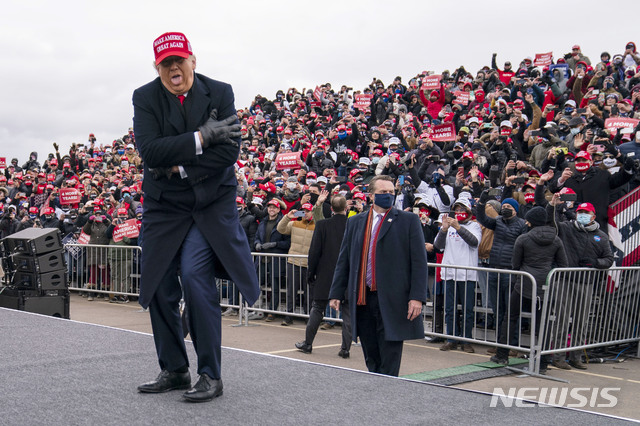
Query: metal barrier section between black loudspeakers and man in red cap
[[107, 270]]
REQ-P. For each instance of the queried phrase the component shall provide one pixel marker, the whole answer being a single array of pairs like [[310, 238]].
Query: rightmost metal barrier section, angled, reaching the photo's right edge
[[588, 308]]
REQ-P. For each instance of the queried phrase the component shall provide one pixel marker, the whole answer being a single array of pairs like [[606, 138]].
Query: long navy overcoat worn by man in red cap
[[206, 197]]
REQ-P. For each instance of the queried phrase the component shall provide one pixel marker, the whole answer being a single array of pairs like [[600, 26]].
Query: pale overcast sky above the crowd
[[70, 67]]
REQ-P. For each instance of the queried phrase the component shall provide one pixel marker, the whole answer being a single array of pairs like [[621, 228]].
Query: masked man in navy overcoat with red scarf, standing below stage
[[382, 266]]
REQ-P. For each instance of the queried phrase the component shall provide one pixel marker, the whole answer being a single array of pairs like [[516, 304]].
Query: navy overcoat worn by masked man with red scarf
[[401, 271]]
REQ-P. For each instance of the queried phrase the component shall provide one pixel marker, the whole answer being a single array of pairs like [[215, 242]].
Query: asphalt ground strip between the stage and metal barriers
[[420, 359]]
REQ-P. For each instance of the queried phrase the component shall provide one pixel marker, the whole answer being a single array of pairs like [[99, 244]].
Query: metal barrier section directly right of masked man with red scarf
[[486, 306]]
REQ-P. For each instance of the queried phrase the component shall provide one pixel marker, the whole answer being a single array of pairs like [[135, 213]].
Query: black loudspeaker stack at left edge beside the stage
[[36, 273]]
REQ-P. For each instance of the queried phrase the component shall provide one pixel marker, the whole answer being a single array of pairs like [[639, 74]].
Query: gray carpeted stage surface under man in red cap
[[60, 372]]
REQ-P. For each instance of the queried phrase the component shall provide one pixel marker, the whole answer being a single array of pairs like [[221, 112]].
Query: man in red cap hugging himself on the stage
[[187, 132]]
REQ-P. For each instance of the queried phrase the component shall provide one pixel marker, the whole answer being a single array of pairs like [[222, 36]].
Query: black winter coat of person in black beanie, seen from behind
[[538, 252]]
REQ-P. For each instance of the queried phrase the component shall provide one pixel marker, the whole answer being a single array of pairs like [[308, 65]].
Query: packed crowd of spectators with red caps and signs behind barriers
[[522, 134]]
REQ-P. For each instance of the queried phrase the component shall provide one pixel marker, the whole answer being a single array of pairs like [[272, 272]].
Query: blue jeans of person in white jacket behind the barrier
[[462, 292]]
